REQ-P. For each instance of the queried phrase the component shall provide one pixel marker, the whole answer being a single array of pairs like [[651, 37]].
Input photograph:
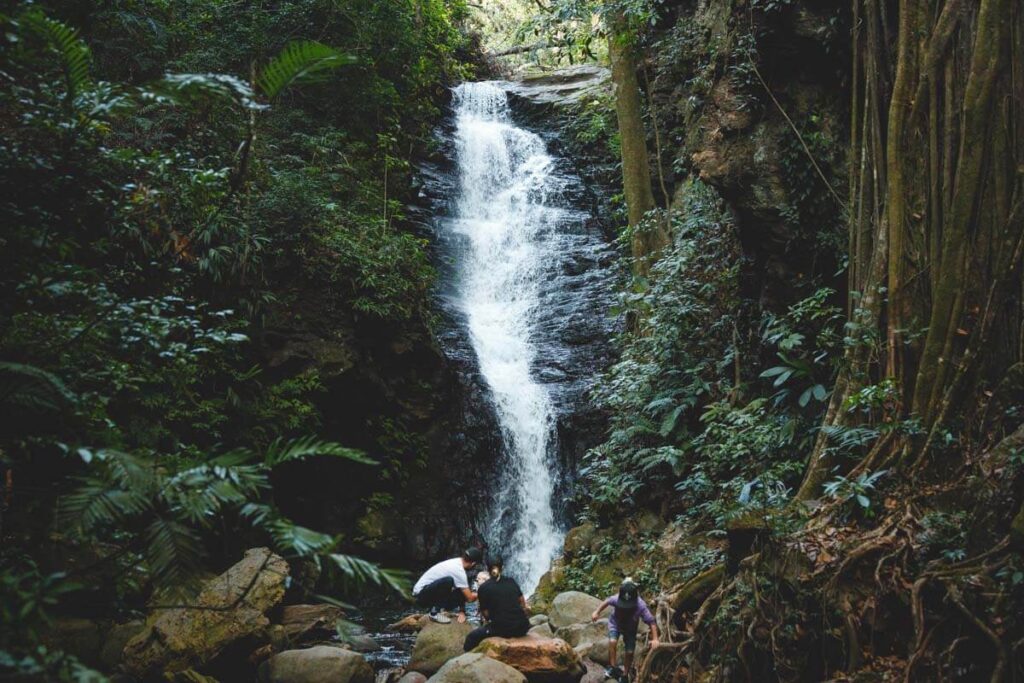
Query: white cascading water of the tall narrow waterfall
[[503, 215]]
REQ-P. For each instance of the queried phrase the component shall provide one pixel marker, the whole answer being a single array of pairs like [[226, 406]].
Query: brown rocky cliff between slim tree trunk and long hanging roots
[[751, 98]]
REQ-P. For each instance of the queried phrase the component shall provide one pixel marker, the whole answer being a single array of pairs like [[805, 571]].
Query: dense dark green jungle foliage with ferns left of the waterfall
[[173, 177]]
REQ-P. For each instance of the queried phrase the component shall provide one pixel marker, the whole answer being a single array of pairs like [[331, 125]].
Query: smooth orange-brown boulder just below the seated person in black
[[540, 660]]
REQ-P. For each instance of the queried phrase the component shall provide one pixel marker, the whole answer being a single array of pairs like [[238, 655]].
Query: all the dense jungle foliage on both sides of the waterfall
[[815, 460]]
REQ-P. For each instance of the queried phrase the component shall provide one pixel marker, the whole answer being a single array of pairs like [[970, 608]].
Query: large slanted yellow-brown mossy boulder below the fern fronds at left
[[229, 609]]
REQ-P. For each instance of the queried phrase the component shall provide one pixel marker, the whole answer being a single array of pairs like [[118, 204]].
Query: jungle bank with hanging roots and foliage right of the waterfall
[[820, 395]]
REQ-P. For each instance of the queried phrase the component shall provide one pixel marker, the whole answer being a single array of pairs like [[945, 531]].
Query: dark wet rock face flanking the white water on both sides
[[572, 327]]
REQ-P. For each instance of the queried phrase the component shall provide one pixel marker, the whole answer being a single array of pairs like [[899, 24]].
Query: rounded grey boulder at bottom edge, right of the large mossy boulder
[[322, 664]]
